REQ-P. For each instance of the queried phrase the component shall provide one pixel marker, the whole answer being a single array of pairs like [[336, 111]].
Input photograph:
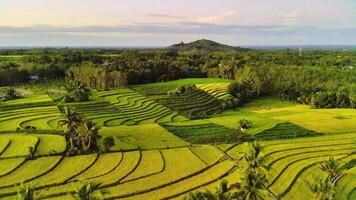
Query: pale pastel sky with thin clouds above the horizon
[[154, 23]]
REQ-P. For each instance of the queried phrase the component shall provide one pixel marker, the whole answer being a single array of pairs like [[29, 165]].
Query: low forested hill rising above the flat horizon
[[202, 45]]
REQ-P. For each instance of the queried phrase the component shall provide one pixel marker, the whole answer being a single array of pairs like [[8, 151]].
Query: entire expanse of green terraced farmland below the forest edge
[[168, 146]]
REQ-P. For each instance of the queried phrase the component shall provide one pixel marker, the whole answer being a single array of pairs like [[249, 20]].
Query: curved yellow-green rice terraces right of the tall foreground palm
[[293, 161]]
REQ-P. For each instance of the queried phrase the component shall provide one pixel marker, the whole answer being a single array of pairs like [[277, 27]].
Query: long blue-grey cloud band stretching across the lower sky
[[191, 28]]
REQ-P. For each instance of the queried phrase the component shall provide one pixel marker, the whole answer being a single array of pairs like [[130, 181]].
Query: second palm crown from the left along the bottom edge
[[89, 191]]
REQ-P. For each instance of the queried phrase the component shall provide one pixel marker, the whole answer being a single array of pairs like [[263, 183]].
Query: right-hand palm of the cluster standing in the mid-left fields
[[88, 135]]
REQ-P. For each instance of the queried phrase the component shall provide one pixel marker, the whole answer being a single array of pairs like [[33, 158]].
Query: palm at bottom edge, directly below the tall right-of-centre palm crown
[[252, 187]]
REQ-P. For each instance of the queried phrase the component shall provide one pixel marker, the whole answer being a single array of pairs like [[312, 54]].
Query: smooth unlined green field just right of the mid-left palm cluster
[[145, 136]]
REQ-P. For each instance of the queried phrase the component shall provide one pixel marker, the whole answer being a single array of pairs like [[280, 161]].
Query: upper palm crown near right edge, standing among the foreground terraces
[[332, 167]]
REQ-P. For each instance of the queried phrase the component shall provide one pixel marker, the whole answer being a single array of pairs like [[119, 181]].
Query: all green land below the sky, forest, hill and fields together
[[62, 138]]
